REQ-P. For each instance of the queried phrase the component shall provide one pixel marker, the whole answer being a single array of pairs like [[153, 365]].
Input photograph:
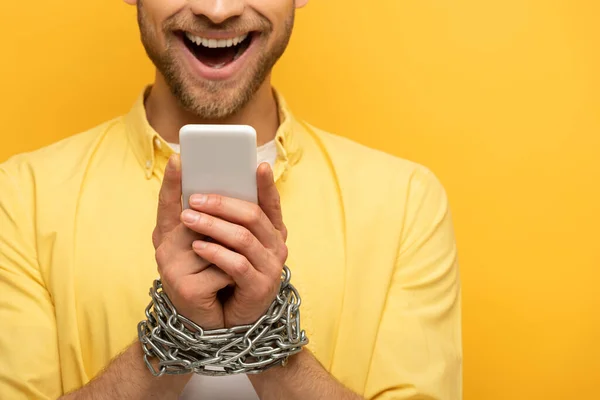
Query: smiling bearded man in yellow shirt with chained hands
[[367, 236]]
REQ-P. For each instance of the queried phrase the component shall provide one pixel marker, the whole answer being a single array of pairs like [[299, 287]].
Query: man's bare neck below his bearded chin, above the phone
[[167, 116]]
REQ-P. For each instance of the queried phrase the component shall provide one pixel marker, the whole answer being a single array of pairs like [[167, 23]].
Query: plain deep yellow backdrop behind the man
[[499, 98]]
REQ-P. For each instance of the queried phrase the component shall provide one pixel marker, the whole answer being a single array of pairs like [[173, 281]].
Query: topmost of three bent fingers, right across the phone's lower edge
[[238, 212]]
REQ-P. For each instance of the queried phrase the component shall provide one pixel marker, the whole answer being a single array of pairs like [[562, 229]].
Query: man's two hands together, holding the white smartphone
[[248, 253]]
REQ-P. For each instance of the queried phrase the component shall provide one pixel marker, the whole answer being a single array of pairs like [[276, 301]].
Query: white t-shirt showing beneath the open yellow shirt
[[231, 387]]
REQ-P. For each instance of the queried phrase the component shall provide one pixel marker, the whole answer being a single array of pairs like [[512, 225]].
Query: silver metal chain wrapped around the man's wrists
[[182, 347]]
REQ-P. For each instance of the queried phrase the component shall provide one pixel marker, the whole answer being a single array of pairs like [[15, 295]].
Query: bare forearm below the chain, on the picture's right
[[302, 378]]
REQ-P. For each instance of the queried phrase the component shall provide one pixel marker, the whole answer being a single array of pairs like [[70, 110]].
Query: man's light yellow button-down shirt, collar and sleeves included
[[371, 248]]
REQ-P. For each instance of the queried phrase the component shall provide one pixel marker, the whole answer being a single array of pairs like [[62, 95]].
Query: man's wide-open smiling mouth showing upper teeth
[[217, 53]]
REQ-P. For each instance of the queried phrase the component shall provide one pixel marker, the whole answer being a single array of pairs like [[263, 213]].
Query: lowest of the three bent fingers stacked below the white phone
[[233, 264]]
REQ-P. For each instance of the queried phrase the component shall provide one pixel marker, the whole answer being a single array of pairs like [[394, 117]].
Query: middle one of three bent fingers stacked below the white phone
[[233, 236]]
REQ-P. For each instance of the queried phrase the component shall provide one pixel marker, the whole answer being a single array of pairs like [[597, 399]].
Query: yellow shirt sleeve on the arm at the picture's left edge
[[30, 366]]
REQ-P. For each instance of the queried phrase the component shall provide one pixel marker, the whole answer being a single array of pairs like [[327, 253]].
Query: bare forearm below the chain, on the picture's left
[[128, 378]]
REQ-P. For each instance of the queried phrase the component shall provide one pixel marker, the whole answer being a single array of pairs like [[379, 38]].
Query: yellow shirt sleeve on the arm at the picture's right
[[418, 352]]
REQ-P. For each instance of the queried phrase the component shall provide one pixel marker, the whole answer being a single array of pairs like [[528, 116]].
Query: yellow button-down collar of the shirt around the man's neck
[[152, 151]]
